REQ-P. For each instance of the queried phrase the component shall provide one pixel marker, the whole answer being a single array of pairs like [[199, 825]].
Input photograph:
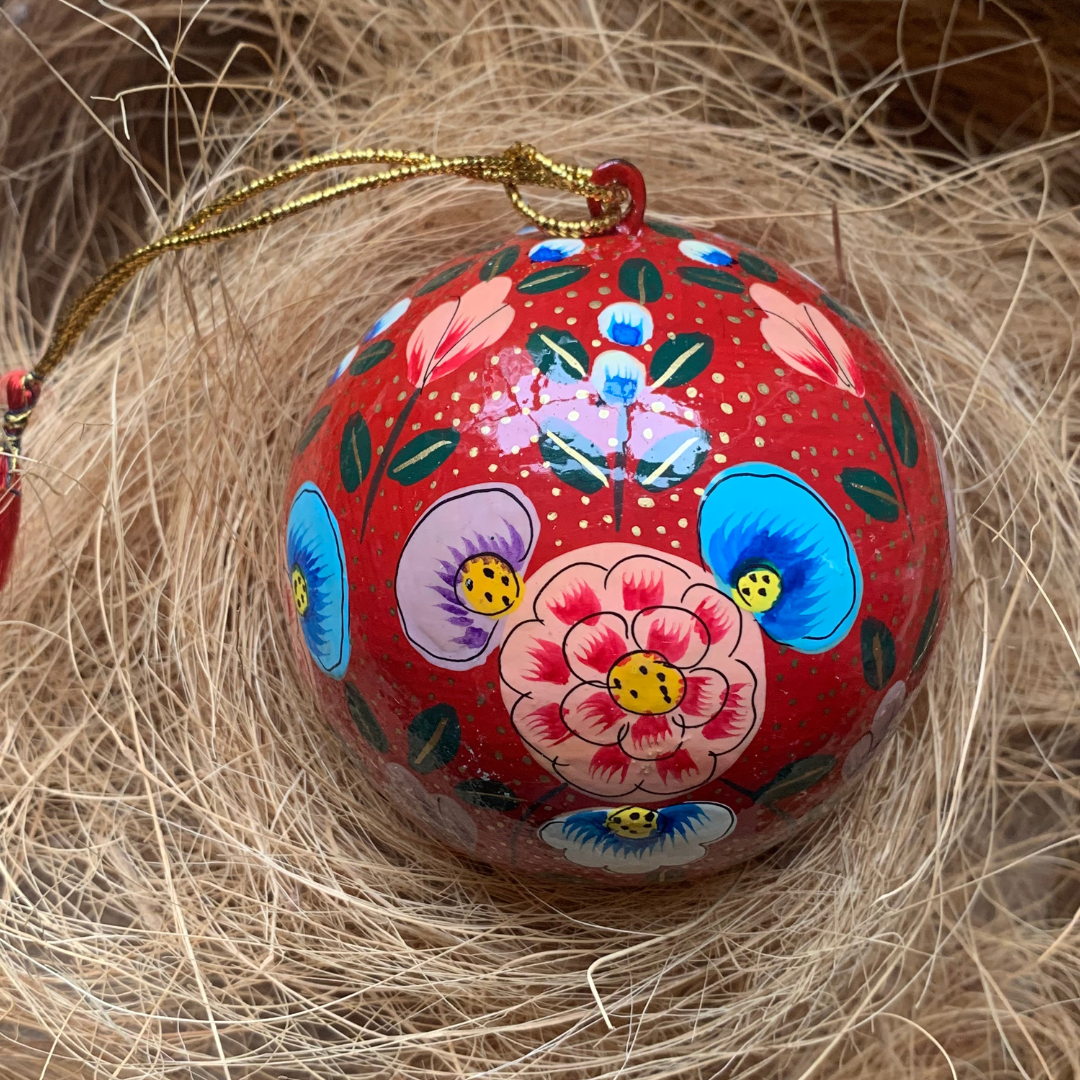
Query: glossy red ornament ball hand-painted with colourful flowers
[[615, 558]]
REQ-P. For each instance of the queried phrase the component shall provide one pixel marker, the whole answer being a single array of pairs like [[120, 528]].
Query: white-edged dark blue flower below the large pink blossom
[[638, 840]]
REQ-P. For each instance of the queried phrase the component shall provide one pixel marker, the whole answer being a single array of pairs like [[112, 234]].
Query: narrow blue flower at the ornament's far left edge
[[318, 579]]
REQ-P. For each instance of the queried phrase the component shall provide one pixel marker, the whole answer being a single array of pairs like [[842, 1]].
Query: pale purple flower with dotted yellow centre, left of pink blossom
[[463, 571]]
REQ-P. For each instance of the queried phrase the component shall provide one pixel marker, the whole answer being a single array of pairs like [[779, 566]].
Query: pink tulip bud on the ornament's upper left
[[460, 330]]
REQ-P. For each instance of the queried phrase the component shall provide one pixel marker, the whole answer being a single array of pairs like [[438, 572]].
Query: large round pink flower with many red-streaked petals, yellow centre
[[628, 672]]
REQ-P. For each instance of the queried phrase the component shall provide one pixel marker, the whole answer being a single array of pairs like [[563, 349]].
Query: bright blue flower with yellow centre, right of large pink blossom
[[778, 550]]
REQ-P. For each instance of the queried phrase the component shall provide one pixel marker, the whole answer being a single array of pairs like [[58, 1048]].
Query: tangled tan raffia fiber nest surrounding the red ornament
[[197, 880]]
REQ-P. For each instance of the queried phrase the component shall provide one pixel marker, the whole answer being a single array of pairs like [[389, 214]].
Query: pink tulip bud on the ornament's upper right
[[803, 336]]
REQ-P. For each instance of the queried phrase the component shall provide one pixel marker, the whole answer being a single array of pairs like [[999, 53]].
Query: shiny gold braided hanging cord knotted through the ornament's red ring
[[519, 167]]
